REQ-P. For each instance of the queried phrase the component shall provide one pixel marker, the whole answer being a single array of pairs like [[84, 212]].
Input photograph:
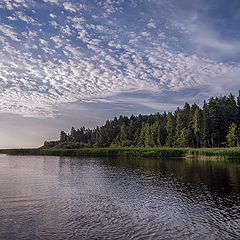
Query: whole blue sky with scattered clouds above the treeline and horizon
[[70, 63]]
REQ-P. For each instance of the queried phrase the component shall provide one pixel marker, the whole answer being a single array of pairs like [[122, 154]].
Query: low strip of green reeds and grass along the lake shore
[[226, 153]]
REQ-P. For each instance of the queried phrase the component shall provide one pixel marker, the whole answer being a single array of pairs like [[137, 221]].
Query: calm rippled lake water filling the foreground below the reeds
[[70, 198]]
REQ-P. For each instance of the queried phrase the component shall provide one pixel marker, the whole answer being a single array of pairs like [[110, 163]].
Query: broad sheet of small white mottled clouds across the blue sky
[[54, 52]]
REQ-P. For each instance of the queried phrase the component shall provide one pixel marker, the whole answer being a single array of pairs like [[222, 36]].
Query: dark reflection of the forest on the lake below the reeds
[[217, 182]]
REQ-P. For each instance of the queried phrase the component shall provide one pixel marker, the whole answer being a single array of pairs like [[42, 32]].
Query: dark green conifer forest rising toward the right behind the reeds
[[215, 124]]
